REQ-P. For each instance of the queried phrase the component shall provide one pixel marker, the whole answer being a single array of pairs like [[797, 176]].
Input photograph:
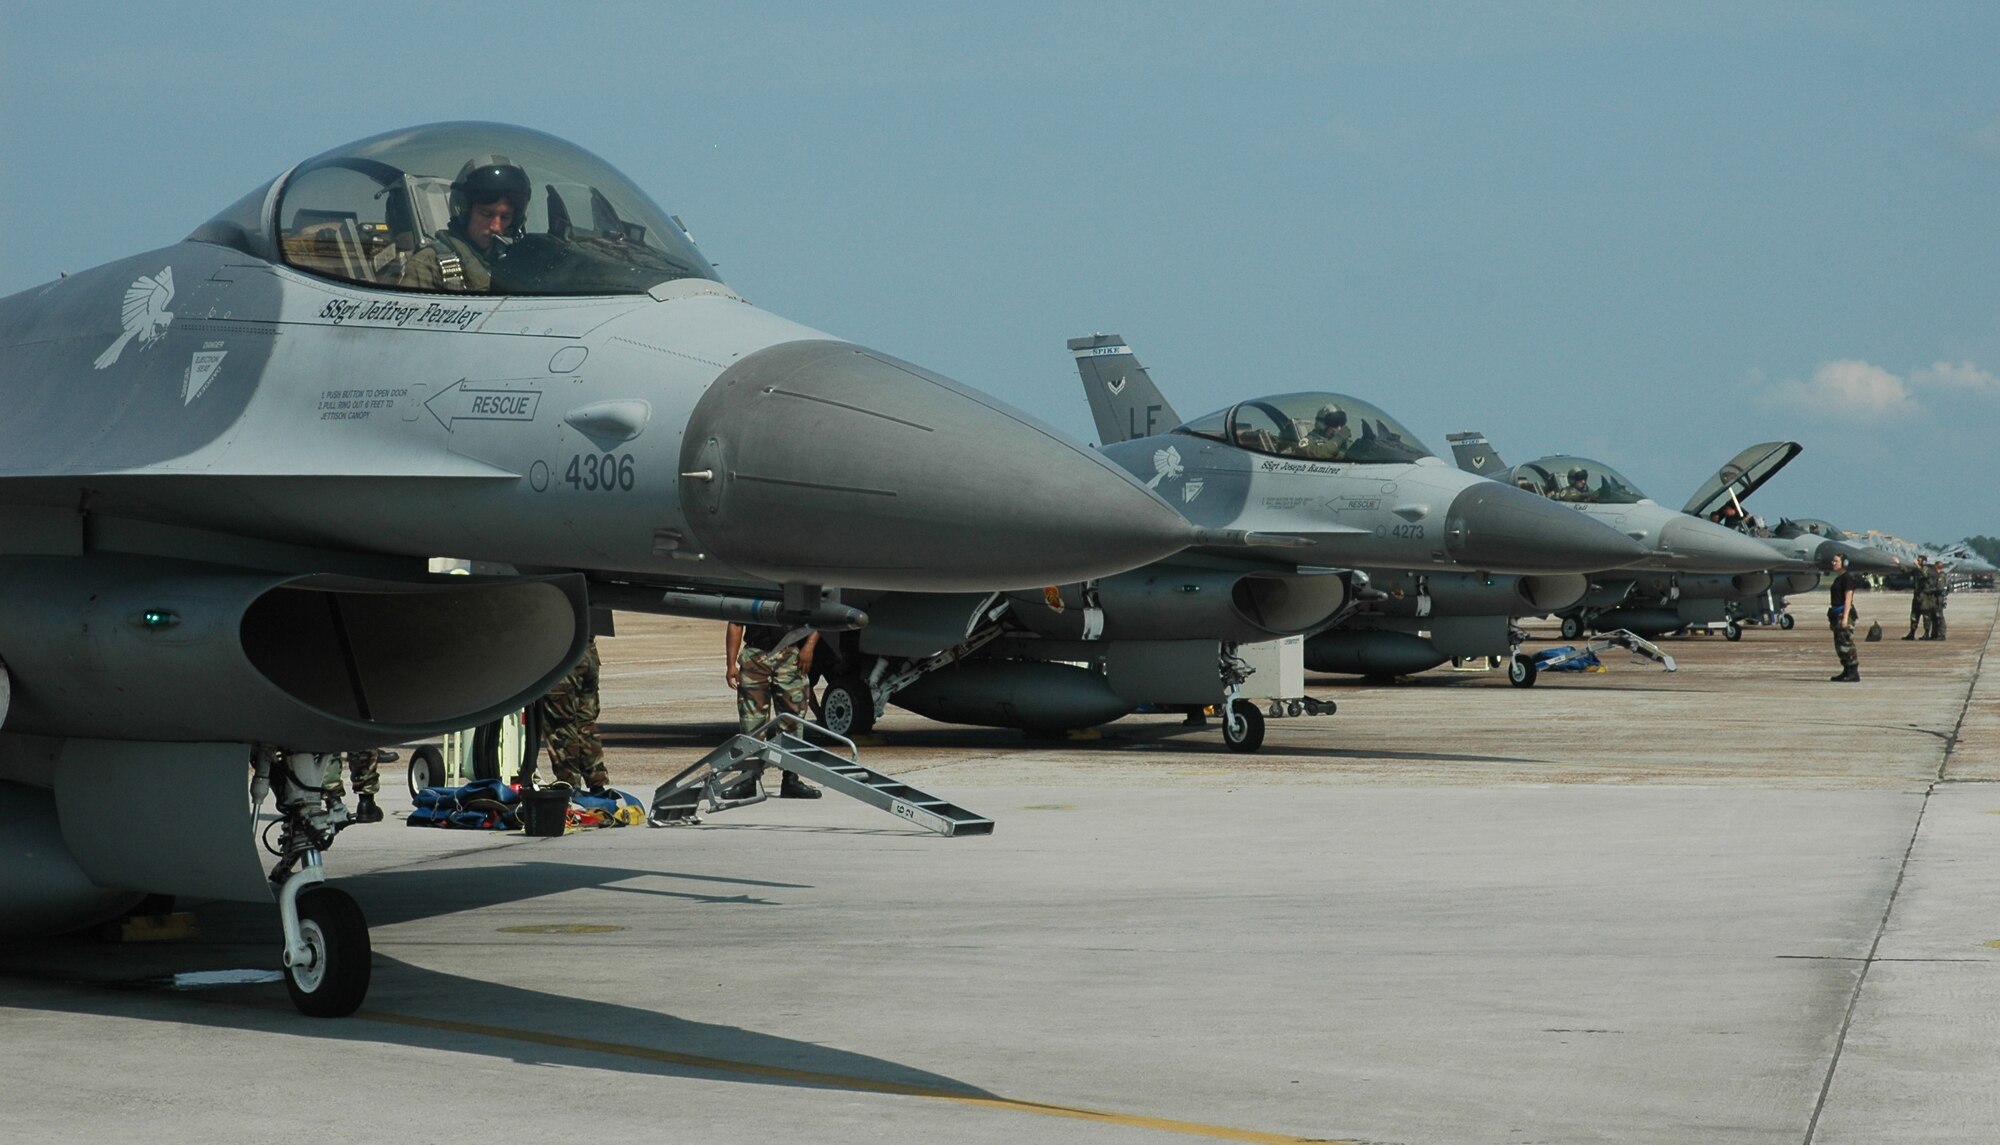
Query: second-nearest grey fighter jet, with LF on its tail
[[1327, 481]]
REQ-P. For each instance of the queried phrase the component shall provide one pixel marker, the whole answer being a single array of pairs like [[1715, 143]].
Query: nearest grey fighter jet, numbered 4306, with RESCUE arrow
[[225, 463]]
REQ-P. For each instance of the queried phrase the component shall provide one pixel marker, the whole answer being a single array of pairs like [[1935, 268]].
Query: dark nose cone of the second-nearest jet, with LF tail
[[1505, 529]]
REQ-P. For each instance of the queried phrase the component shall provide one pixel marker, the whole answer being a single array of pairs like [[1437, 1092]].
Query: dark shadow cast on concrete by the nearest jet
[[433, 1010]]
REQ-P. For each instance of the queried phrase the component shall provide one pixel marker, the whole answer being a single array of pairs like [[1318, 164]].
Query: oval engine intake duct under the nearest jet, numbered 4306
[[137, 648]]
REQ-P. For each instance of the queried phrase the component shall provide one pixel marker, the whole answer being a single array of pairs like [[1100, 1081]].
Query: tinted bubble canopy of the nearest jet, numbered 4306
[[383, 209]]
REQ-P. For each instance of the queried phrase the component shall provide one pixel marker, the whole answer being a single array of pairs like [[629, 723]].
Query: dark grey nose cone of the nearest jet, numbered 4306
[[837, 465]]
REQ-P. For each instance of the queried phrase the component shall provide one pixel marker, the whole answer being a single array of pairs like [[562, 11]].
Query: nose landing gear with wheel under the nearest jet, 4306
[[327, 956]]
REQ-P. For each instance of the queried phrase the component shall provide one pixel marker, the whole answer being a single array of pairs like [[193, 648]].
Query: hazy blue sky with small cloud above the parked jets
[[1645, 233]]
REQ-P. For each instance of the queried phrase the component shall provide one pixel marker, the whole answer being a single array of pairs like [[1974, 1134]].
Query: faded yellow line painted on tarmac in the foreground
[[843, 1082]]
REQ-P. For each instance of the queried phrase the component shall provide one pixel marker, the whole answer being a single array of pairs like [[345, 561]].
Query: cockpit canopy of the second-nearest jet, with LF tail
[[1313, 427]]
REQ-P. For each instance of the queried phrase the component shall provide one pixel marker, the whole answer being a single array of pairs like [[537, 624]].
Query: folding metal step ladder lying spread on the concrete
[[733, 776]]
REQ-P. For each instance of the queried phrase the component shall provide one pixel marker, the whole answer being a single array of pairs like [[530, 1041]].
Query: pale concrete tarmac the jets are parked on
[[1731, 904]]
